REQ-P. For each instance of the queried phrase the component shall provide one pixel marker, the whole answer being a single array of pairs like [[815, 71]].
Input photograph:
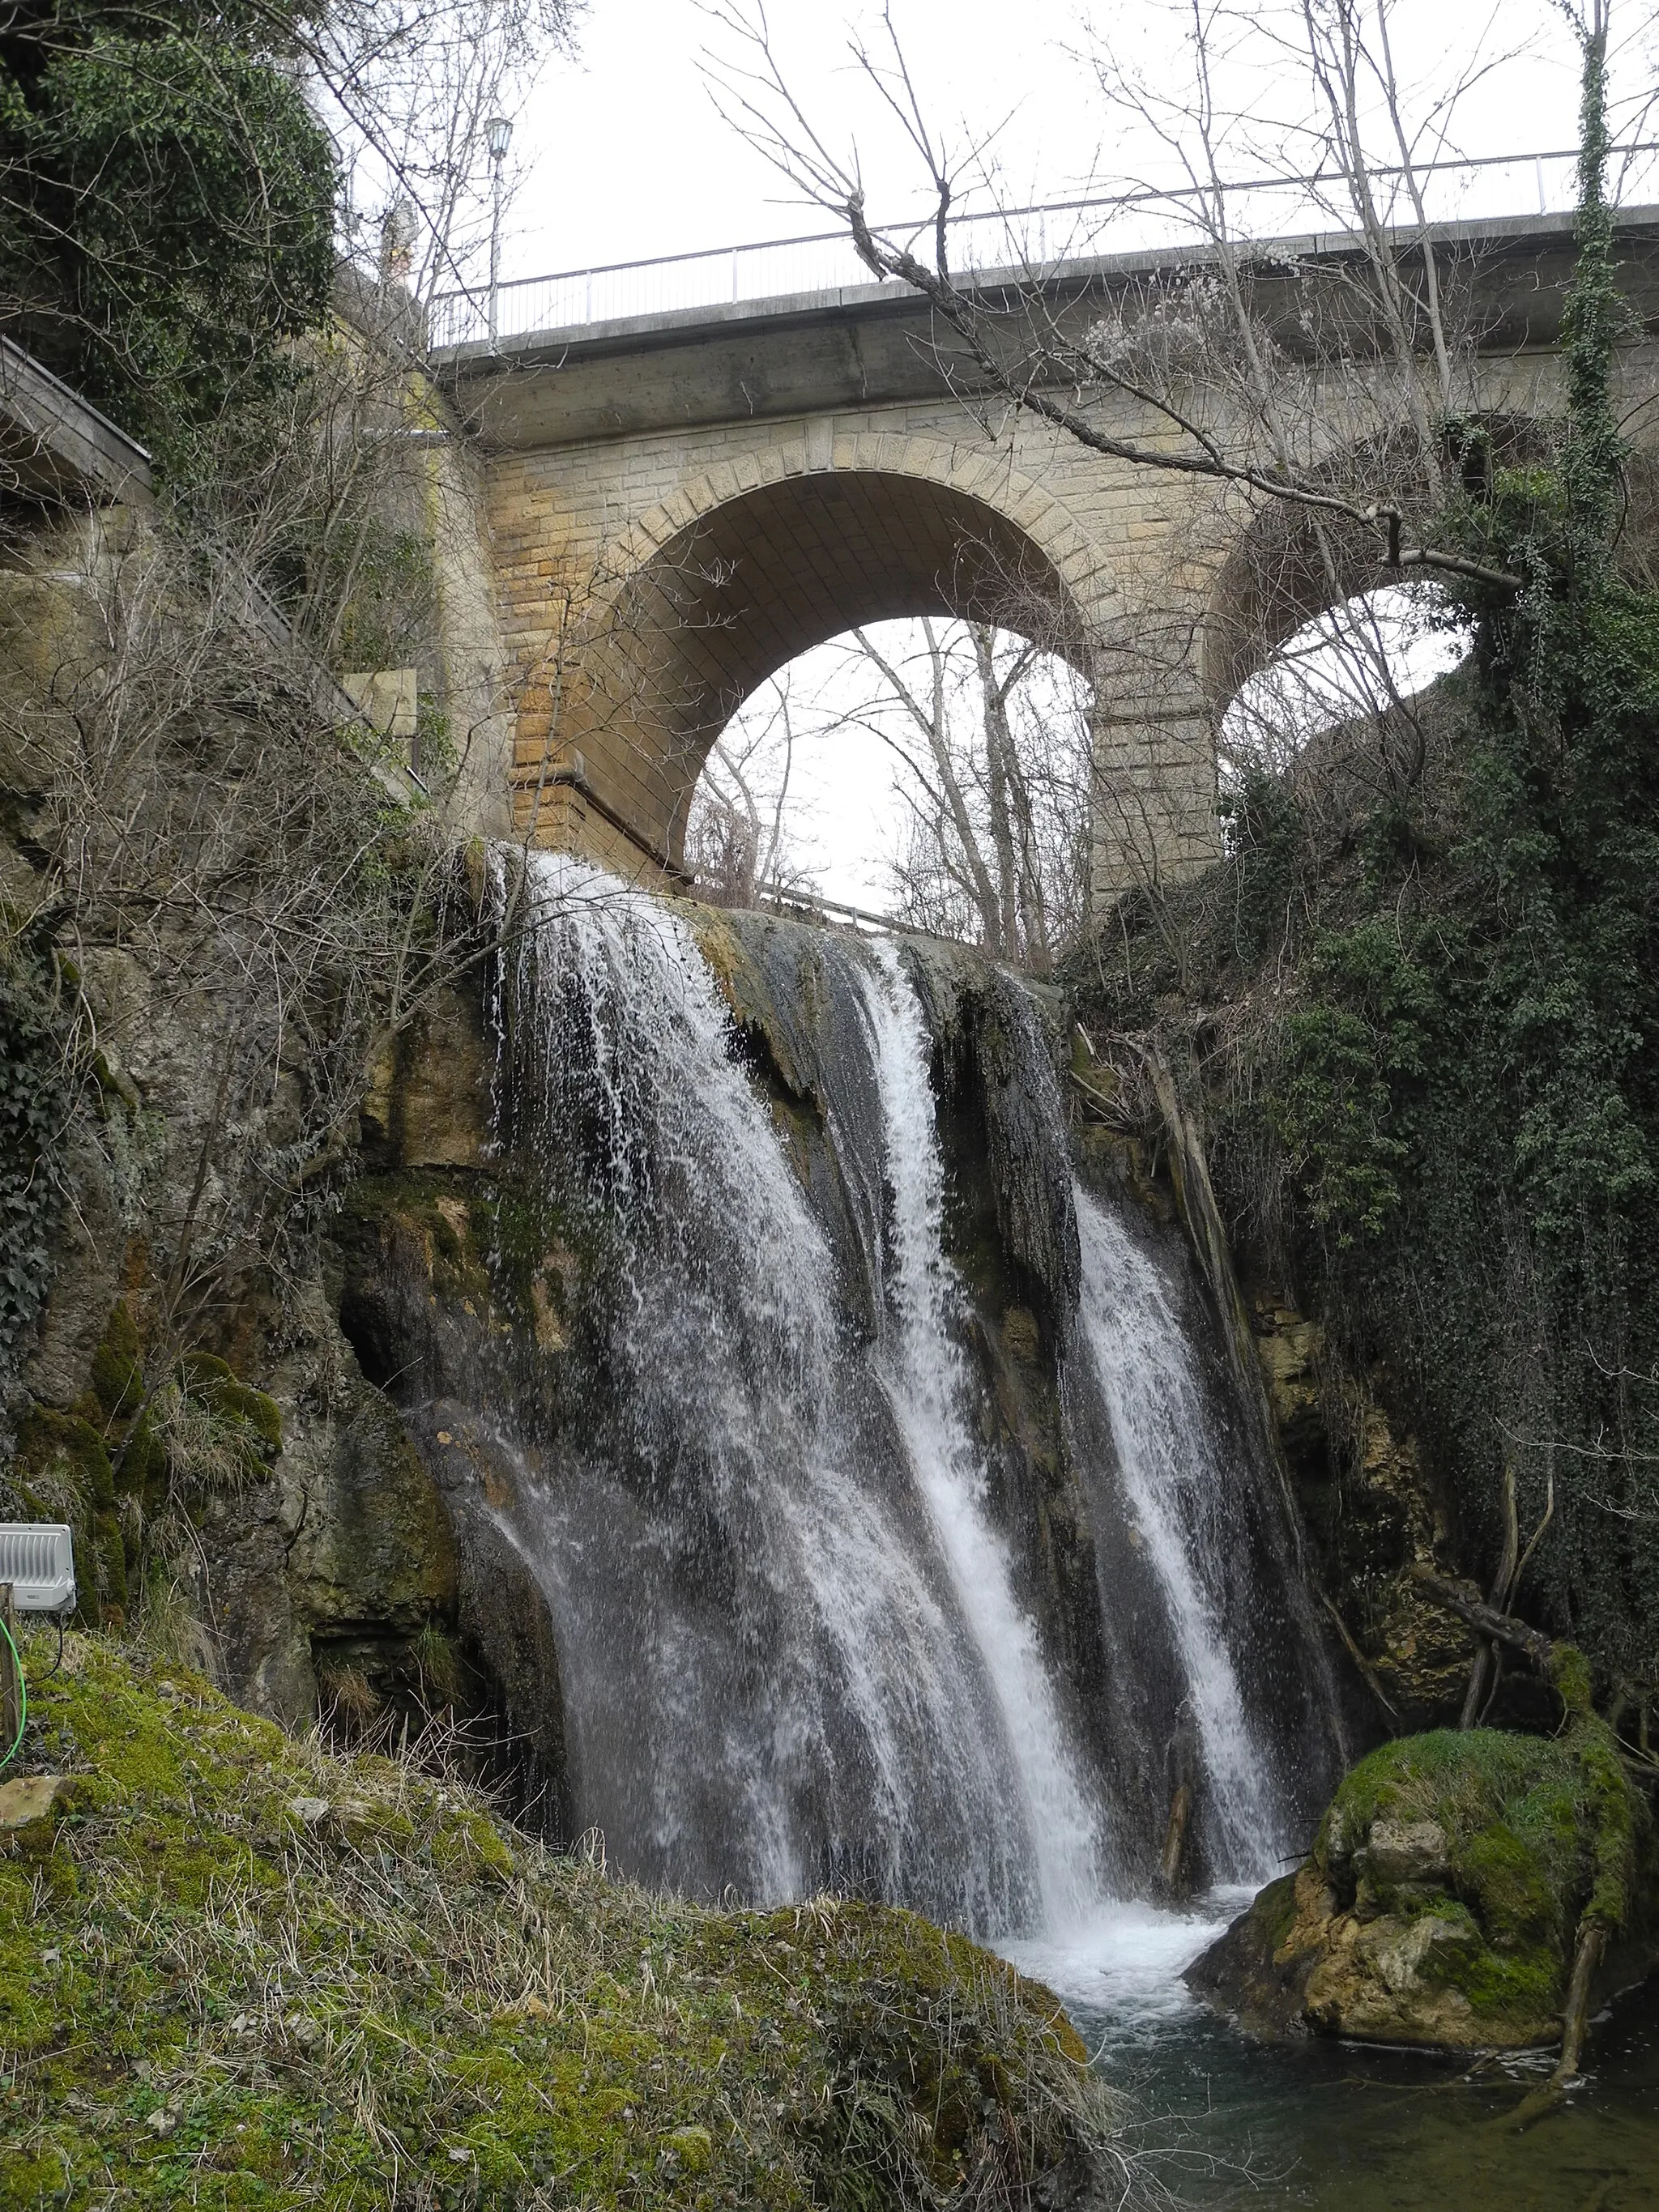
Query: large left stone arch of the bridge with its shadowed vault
[[724, 583]]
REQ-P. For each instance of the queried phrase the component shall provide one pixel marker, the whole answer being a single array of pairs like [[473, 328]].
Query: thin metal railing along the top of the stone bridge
[[1039, 238]]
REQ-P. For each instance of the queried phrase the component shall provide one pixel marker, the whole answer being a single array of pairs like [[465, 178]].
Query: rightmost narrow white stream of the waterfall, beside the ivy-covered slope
[[1178, 1492]]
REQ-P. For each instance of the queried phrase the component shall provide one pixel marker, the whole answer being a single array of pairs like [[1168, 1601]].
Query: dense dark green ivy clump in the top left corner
[[167, 205]]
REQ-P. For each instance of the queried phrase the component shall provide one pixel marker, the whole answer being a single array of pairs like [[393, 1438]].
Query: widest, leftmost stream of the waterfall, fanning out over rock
[[771, 1680]]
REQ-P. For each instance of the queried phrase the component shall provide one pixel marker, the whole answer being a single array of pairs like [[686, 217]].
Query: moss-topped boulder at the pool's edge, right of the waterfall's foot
[[1446, 1892]]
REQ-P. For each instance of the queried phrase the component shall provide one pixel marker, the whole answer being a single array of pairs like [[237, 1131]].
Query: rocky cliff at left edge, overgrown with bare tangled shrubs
[[176, 1384]]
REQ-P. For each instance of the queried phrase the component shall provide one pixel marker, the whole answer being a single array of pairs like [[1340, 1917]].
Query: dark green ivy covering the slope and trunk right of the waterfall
[[1426, 1032]]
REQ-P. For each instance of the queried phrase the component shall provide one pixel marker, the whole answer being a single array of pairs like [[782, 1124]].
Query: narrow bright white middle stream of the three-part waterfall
[[928, 1386]]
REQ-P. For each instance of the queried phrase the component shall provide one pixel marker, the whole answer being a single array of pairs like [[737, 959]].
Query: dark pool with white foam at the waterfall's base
[[1331, 2127]]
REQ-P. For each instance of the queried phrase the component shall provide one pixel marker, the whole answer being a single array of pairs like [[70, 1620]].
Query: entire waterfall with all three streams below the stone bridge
[[808, 1629]]
